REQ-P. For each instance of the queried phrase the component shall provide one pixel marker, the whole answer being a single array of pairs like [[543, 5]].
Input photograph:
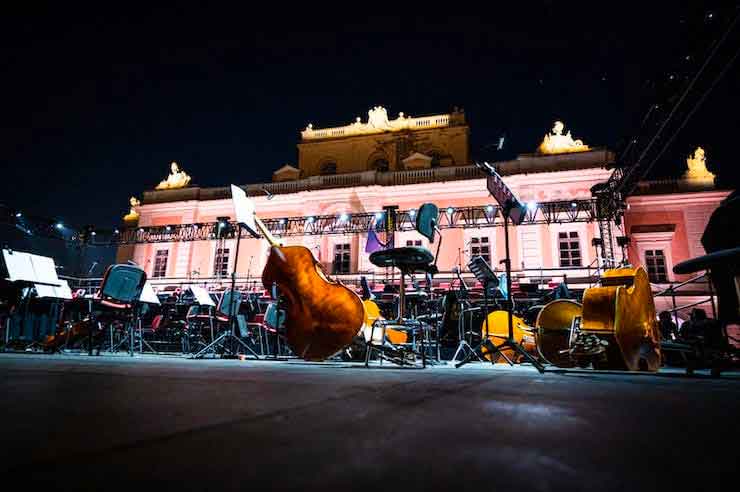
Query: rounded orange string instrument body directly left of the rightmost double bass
[[553, 331]]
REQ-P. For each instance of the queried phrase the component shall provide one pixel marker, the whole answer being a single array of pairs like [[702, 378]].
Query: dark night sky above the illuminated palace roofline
[[96, 104]]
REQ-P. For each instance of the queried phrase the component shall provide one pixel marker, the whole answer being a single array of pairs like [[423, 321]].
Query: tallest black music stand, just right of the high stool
[[512, 210]]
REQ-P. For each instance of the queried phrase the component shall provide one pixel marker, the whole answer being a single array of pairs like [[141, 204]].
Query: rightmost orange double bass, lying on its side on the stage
[[621, 311]]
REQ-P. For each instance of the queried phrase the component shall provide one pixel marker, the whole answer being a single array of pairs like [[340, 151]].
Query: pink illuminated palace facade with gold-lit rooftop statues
[[407, 161]]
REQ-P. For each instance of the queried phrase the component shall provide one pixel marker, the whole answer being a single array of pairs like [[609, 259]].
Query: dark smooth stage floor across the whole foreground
[[115, 423]]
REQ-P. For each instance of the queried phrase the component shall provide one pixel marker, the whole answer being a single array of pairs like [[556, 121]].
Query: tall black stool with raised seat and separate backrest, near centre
[[409, 260]]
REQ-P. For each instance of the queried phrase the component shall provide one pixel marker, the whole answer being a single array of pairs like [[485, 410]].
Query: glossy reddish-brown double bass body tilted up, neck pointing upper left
[[322, 316]]
